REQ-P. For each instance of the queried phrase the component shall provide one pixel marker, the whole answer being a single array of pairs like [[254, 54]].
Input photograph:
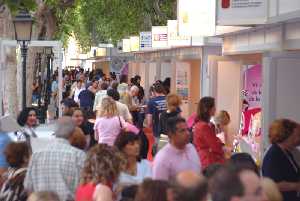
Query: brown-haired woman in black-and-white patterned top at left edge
[[17, 156]]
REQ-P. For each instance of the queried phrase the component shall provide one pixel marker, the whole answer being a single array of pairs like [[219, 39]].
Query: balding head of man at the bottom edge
[[189, 186]]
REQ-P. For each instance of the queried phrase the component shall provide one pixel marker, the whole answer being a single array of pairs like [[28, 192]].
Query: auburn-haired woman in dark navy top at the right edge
[[278, 163]]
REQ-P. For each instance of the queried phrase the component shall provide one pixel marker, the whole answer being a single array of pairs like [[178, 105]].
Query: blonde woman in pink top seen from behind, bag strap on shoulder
[[108, 124]]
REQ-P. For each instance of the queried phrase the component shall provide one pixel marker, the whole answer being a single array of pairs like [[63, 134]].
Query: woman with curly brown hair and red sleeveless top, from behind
[[102, 168]]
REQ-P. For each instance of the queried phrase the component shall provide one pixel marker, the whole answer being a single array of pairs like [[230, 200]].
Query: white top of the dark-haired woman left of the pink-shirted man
[[143, 171]]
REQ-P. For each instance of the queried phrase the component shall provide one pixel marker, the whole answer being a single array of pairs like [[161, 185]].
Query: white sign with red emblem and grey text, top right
[[241, 12]]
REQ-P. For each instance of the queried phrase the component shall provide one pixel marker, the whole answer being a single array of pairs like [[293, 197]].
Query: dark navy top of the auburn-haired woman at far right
[[280, 166]]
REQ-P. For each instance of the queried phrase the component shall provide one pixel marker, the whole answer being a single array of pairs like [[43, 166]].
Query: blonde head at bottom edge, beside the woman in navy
[[271, 190]]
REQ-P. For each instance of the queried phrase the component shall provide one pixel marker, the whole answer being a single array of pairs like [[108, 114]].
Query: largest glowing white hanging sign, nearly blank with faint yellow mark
[[196, 17]]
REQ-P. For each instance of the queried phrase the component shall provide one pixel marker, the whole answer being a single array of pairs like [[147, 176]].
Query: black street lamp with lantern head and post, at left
[[23, 28]]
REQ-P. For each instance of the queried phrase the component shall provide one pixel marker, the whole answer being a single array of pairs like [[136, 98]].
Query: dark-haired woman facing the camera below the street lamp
[[28, 120]]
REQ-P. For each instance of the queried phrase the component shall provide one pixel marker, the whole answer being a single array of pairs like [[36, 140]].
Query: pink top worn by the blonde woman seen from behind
[[108, 129]]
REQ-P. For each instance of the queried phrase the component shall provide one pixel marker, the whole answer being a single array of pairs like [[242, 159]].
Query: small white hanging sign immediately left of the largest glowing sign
[[159, 36]]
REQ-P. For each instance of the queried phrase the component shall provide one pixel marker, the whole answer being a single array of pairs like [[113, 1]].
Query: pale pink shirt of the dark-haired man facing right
[[169, 161]]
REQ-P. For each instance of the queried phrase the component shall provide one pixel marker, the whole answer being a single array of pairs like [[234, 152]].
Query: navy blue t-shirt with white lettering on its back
[[155, 107]]
